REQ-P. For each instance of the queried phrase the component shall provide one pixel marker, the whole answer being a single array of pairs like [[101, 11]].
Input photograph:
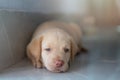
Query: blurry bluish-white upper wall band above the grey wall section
[[46, 6]]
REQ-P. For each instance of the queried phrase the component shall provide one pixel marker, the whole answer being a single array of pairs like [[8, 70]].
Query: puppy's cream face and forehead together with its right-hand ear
[[57, 49]]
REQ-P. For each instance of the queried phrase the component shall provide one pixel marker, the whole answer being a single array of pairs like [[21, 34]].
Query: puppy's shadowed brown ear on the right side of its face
[[74, 50]]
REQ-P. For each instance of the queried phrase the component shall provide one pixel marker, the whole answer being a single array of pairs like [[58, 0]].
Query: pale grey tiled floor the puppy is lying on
[[80, 70]]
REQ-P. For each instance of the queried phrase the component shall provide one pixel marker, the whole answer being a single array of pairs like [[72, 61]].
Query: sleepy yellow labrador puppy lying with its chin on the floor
[[54, 44]]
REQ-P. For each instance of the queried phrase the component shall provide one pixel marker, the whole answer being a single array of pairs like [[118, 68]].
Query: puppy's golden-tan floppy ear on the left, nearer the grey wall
[[34, 51]]
